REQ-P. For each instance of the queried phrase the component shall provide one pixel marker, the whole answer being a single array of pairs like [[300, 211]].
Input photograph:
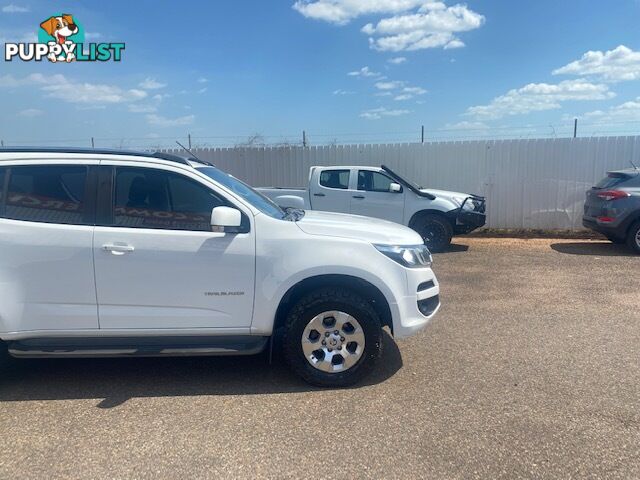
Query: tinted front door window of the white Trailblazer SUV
[[149, 198]]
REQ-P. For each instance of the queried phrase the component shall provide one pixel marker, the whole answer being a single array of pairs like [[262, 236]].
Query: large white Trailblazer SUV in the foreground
[[107, 253]]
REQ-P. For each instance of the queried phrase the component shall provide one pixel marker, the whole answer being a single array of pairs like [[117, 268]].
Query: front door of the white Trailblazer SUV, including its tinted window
[[159, 265]]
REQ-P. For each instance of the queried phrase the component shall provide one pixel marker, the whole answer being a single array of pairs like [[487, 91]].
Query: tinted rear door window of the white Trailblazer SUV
[[49, 194]]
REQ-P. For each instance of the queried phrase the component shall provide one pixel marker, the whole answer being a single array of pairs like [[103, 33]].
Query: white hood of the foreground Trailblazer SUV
[[371, 230]]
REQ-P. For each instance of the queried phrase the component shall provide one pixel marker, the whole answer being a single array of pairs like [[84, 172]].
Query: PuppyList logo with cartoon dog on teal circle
[[61, 38]]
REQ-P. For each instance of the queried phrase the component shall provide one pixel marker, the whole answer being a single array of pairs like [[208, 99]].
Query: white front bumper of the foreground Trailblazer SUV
[[416, 310]]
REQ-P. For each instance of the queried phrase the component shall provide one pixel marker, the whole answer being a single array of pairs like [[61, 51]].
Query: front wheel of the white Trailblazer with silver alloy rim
[[332, 338]]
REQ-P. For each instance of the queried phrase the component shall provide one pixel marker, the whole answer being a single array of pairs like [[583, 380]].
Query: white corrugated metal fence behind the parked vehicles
[[537, 183]]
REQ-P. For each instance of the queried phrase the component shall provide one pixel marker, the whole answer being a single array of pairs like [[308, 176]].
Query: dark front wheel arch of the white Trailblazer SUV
[[358, 285]]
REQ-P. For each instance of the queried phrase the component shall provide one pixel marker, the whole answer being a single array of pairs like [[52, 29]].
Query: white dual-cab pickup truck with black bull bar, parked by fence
[[436, 215]]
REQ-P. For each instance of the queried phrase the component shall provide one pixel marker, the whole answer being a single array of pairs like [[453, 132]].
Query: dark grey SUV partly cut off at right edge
[[613, 207]]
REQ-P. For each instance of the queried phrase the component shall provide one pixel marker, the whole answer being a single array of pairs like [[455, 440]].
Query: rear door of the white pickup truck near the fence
[[330, 190]]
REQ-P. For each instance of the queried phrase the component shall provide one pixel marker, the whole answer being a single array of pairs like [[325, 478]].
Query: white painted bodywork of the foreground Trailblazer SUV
[[59, 280]]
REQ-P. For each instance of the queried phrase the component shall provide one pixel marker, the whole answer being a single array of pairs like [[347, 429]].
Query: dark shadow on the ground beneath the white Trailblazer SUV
[[116, 380]]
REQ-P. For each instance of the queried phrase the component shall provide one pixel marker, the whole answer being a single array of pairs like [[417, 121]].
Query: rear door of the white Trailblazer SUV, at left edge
[[47, 213]]
